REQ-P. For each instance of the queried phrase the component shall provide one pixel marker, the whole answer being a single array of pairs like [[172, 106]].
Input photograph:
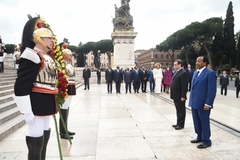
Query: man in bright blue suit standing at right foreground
[[203, 93]]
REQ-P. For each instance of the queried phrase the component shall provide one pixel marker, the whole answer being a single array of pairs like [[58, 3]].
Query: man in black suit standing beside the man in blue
[[178, 92]]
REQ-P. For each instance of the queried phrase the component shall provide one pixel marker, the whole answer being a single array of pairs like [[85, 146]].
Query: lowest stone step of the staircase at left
[[11, 126]]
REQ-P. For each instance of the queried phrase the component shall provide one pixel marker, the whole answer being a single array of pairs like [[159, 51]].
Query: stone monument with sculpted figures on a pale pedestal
[[123, 36]]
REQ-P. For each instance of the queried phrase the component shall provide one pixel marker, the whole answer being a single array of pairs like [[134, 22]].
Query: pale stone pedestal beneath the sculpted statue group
[[123, 42]]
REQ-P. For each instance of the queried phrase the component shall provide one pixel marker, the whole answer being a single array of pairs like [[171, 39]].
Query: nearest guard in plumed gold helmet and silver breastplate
[[35, 87]]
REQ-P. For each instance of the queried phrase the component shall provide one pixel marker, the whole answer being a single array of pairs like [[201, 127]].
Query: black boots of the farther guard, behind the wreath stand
[[63, 134]]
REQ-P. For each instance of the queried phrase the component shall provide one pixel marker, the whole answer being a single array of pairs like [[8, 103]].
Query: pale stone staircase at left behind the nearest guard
[[10, 117]]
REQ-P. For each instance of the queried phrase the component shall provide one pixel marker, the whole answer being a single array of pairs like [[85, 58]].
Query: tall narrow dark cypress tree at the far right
[[229, 41]]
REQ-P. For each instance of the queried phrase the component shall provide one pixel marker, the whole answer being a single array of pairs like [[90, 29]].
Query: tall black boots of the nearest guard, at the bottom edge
[[35, 145]]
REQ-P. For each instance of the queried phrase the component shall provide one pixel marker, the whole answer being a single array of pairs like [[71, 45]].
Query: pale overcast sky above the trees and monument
[[91, 20]]
